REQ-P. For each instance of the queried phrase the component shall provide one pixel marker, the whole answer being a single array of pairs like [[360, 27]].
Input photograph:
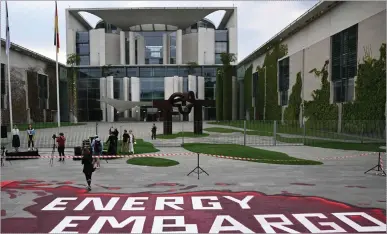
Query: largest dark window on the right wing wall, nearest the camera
[[344, 63]]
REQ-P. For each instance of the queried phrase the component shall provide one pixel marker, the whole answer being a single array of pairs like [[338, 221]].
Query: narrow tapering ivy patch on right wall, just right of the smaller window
[[292, 112]]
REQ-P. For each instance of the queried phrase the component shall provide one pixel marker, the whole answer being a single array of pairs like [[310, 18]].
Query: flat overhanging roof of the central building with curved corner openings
[[124, 18]]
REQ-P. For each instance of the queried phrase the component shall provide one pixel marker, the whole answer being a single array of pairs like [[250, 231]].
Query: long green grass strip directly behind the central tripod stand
[[232, 150]]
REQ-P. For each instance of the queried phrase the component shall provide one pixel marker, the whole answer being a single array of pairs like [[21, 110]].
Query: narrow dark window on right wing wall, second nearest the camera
[[283, 80]]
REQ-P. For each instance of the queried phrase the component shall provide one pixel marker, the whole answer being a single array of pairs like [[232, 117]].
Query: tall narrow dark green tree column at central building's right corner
[[227, 73]]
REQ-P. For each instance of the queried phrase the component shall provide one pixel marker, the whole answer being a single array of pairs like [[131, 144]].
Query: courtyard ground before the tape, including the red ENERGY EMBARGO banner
[[238, 195]]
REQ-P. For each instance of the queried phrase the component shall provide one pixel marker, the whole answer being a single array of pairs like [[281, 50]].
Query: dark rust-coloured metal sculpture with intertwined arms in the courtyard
[[184, 103]]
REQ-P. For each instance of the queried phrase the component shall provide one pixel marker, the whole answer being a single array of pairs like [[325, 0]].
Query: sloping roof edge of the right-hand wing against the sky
[[318, 10]]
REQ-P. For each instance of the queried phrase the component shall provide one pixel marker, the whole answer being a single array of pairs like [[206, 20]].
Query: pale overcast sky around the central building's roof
[[32, 22]]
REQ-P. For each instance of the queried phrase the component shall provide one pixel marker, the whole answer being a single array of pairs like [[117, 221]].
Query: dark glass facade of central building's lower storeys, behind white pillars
[[151, 85]]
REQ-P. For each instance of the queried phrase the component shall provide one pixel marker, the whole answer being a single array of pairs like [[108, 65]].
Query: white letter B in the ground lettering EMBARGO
[[158, 225]]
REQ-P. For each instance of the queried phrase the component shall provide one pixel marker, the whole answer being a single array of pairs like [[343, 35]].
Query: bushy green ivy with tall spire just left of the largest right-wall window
[[319, 112]]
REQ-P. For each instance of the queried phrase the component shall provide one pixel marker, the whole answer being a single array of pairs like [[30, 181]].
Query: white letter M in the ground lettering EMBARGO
[[138, 225]]
